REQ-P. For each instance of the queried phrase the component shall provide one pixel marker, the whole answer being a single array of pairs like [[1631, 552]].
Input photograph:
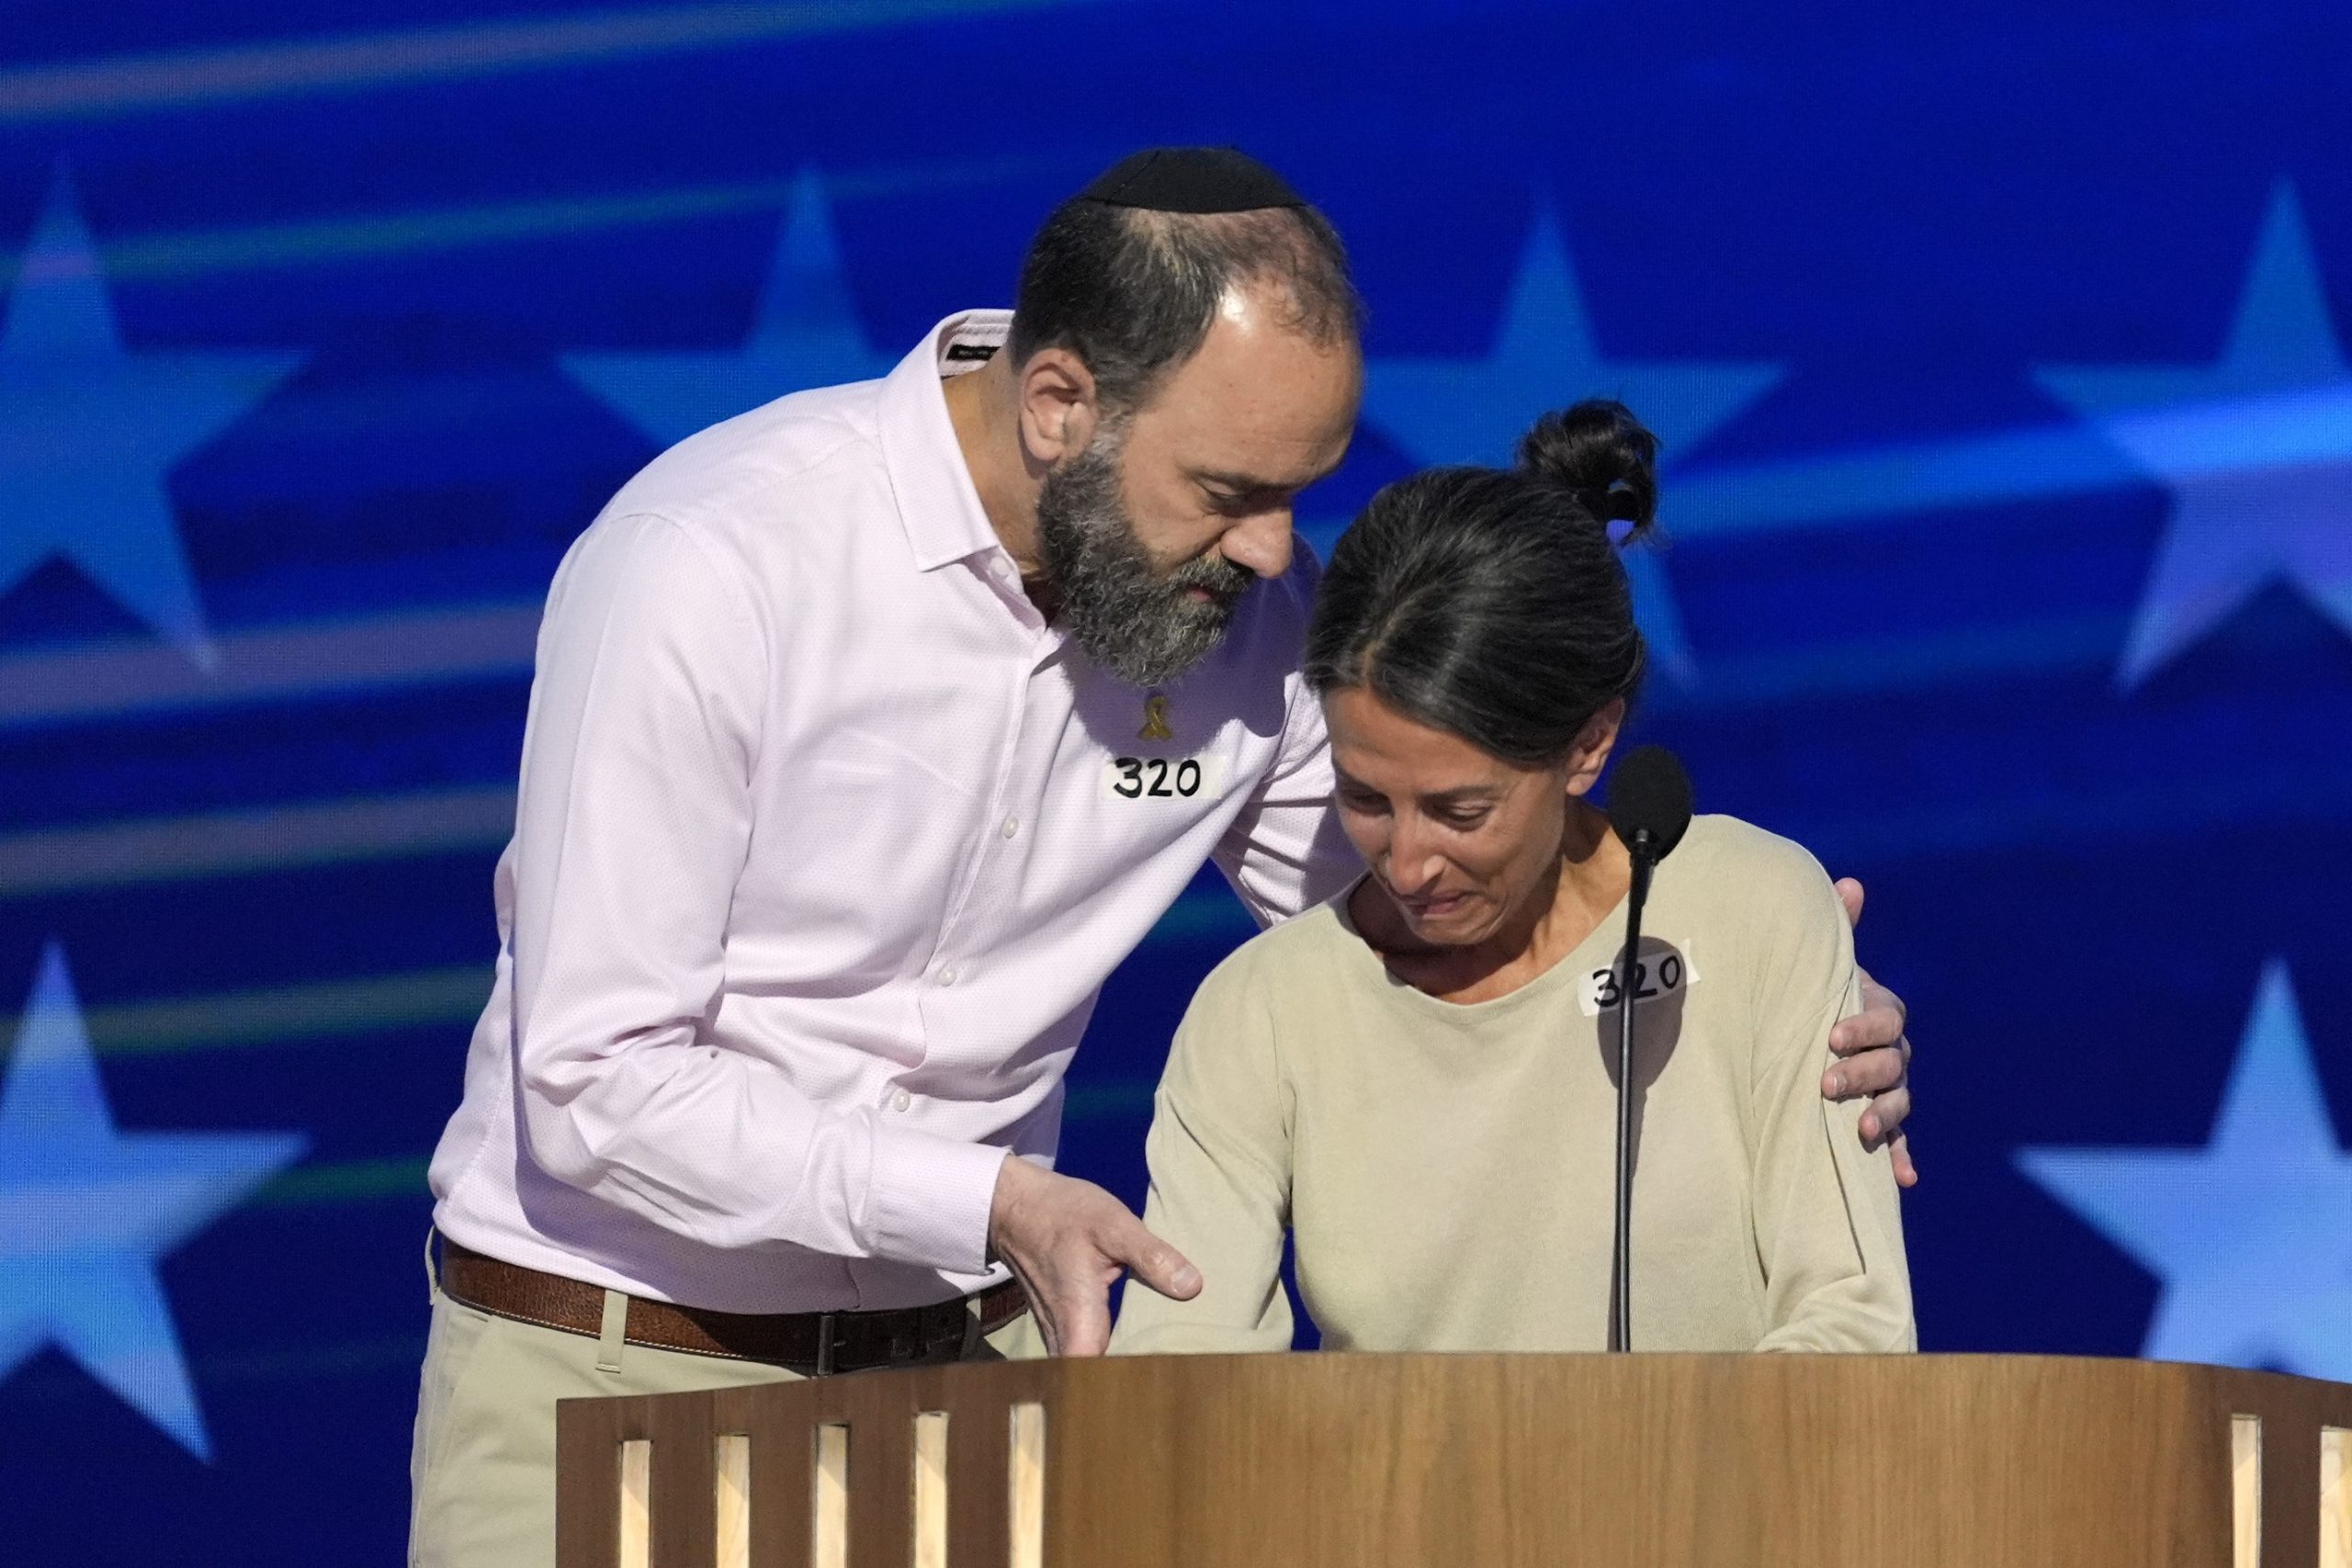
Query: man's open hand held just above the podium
[[1067, 1245]]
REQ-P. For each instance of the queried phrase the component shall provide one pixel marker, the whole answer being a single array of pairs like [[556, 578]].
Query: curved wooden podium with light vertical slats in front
[[1321, 1461]]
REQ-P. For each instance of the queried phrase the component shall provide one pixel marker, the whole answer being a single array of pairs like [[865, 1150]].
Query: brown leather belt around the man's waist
[[810, 1343]]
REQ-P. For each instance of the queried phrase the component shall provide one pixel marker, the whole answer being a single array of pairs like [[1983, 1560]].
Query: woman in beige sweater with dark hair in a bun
[[1415, 1080]]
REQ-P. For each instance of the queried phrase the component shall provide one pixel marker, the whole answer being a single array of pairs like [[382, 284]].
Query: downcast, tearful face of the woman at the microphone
[[1462, 840]]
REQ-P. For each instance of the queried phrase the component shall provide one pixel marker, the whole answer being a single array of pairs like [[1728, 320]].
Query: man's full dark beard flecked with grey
[[1128, 617]]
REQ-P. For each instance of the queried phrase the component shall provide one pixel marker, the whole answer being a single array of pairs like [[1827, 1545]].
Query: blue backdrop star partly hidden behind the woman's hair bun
[[1549, 356]]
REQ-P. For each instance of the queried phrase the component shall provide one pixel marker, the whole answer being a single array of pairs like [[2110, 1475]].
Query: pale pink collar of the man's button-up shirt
[[937, 502]]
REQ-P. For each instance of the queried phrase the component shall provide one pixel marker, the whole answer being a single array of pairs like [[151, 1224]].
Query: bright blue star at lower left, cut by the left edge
[[88, 1212]]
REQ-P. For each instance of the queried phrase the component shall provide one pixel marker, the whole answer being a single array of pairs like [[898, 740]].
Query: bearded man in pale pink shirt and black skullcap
[[871, 732]]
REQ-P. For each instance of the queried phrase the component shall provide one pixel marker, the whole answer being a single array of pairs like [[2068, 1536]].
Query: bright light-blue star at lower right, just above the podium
[[2252, 1233]]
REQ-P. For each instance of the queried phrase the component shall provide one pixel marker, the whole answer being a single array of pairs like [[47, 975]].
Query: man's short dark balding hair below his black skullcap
[[1132, 293]]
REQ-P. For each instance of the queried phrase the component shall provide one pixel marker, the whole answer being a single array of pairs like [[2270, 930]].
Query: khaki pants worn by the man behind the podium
[[483, 1463]]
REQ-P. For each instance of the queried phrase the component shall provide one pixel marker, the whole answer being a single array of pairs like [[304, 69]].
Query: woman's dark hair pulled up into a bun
[[1492, 603]]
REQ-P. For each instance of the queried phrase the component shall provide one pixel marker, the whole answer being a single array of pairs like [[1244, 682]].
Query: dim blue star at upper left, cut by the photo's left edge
[[93, 431]]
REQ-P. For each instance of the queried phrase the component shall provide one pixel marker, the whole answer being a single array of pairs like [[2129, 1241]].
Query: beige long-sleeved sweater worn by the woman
[[1448, 1172]]
